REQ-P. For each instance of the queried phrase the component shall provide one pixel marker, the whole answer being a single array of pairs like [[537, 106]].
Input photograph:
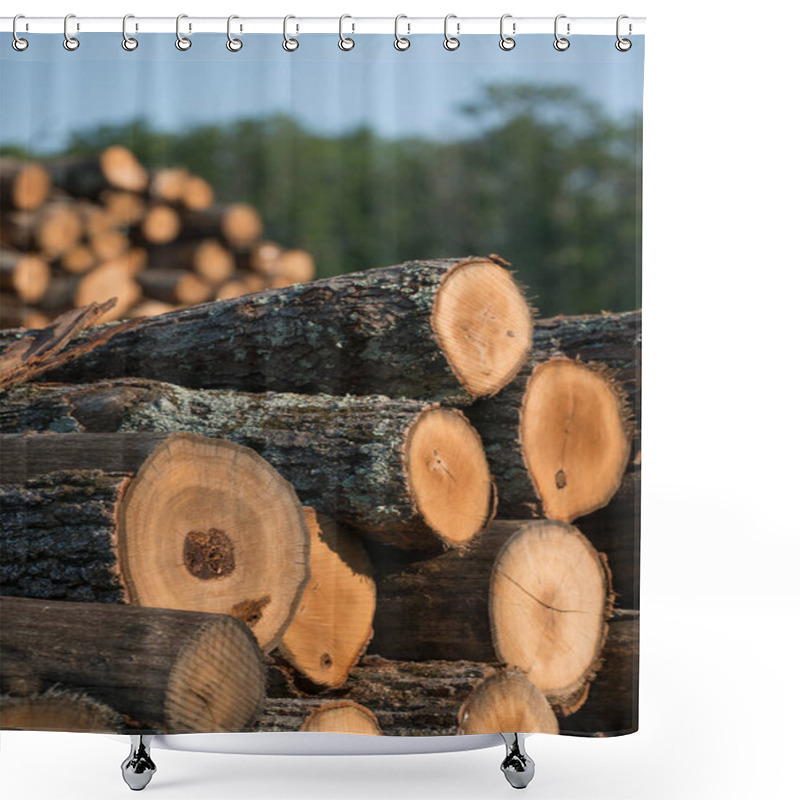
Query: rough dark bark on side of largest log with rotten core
[[57, 537]]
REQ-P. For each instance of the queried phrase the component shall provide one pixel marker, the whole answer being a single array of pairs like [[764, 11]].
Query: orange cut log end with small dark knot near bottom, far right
[[575, 437]]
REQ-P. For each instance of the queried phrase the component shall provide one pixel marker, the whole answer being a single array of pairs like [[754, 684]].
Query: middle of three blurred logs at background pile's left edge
[[52, 229]]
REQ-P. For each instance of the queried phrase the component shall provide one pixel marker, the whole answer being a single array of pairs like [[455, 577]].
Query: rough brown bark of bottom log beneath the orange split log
[[408, 698]]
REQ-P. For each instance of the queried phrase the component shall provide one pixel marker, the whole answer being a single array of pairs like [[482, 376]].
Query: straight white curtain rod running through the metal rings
[[516, 26]]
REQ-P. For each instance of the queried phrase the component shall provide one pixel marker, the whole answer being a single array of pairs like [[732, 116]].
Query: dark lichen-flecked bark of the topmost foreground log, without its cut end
[[363, 333]]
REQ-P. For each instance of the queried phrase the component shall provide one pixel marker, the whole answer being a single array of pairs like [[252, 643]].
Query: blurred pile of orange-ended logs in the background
[[79, 230]]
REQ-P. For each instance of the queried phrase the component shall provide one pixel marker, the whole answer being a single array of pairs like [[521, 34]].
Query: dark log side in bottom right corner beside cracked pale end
[[612, 707]]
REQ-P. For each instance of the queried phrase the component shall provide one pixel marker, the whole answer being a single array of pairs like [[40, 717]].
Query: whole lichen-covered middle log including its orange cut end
[[400, 471]]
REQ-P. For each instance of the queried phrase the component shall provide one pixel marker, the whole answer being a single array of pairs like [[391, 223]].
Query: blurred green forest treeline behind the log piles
[[549, 181]]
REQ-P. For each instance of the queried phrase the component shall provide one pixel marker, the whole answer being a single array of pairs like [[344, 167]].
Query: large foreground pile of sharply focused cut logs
[[465, 559]]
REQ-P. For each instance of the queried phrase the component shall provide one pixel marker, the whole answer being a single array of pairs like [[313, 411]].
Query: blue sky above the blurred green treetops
[[46, 92]]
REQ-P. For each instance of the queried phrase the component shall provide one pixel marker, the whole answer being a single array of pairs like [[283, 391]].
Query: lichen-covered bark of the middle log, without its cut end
[[343, 455]]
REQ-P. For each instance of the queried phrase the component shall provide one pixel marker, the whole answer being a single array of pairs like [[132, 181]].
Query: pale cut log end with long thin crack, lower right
[[549, 602]]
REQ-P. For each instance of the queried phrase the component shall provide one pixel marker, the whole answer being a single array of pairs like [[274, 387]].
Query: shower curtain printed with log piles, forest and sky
[[320, 383]]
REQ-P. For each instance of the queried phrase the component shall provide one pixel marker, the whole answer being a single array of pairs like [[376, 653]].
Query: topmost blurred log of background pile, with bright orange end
[[115, 167]]
